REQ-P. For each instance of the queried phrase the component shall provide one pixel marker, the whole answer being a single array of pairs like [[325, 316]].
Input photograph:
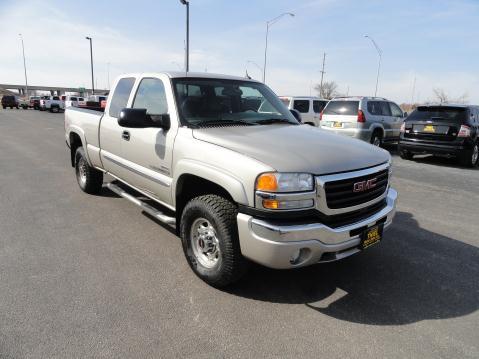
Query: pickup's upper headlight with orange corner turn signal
[[285, 182]]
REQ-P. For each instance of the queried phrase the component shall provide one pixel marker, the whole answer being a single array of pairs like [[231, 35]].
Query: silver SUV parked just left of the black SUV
[[371, 119]]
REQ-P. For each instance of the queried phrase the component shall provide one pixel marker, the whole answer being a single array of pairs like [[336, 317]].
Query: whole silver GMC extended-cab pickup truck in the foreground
[[224, 161]]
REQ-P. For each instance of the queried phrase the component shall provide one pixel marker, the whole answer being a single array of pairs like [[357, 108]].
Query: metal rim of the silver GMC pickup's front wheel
[[205, 243]]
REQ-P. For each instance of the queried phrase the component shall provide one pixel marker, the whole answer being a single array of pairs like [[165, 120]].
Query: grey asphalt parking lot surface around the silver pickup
[[91, 276]]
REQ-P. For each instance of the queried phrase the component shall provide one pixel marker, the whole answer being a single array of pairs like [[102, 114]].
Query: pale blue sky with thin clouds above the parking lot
[[434, 41]]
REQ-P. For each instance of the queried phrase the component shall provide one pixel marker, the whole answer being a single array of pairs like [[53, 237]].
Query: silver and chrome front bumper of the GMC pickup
[[275, 246]]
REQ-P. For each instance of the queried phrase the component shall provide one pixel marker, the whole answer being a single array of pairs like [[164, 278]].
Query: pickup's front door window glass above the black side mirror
[[151, 95]]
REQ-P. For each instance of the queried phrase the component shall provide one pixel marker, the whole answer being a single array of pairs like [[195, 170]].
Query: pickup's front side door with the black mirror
[[148, 152]]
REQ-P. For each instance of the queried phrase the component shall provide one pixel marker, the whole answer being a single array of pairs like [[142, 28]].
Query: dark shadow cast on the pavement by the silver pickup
[[413, 275]]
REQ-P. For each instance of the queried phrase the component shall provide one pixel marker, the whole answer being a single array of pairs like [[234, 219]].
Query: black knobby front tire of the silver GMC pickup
[[220, 213]]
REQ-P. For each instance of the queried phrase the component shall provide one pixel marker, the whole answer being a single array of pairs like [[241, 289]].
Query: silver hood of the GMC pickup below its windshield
[[290, 148]]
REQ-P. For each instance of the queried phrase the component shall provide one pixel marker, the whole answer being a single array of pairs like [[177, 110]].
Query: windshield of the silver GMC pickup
[[219, 101]]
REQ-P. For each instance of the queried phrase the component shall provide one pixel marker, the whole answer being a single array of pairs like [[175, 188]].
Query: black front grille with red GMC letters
[[341, 194]]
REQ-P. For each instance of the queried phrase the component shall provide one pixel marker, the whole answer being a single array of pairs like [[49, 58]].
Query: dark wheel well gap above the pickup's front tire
[[190, 186]]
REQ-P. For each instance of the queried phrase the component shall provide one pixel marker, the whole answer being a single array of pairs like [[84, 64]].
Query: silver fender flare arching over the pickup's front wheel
[[216, 175]]
